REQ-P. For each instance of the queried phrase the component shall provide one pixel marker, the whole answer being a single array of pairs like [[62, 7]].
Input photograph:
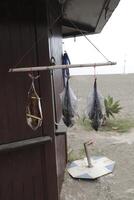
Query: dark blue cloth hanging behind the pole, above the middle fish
[[65, 72]]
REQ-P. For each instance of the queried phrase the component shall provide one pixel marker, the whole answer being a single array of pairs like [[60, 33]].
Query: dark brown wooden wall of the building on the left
[[36, 172]]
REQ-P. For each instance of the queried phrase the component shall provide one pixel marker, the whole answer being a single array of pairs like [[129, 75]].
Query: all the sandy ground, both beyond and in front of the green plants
[[120, 184]]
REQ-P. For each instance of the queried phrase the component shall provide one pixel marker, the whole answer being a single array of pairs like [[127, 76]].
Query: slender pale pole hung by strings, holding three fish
[[53, 67]]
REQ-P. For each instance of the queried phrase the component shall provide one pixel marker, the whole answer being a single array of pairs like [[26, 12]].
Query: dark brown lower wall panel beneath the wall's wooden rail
[[21, 175]]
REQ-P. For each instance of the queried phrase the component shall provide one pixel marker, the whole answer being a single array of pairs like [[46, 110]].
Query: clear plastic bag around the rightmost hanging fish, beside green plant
[[95, 108]]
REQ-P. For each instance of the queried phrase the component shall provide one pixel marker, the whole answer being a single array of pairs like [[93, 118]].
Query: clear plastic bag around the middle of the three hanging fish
[[69, 105]]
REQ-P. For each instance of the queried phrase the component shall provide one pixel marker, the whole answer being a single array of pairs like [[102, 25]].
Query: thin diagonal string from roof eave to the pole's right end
[[74, 25]]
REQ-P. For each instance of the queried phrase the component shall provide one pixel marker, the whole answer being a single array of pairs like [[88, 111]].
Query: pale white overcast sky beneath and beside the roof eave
[[116, 41]]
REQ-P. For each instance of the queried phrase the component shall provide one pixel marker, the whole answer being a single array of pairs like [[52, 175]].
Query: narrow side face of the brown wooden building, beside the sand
[[55, 49]]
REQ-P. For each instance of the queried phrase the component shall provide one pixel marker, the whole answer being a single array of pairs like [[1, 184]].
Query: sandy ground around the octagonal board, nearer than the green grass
[[117, 186]]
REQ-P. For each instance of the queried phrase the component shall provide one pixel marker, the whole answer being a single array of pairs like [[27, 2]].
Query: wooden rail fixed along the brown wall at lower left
[[24, 143]]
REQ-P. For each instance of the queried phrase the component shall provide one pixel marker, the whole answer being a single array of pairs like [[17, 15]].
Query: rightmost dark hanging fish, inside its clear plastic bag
[[95, 112]]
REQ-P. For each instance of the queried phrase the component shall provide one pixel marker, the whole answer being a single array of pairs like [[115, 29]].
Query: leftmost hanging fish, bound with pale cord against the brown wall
[[33, 109]]
